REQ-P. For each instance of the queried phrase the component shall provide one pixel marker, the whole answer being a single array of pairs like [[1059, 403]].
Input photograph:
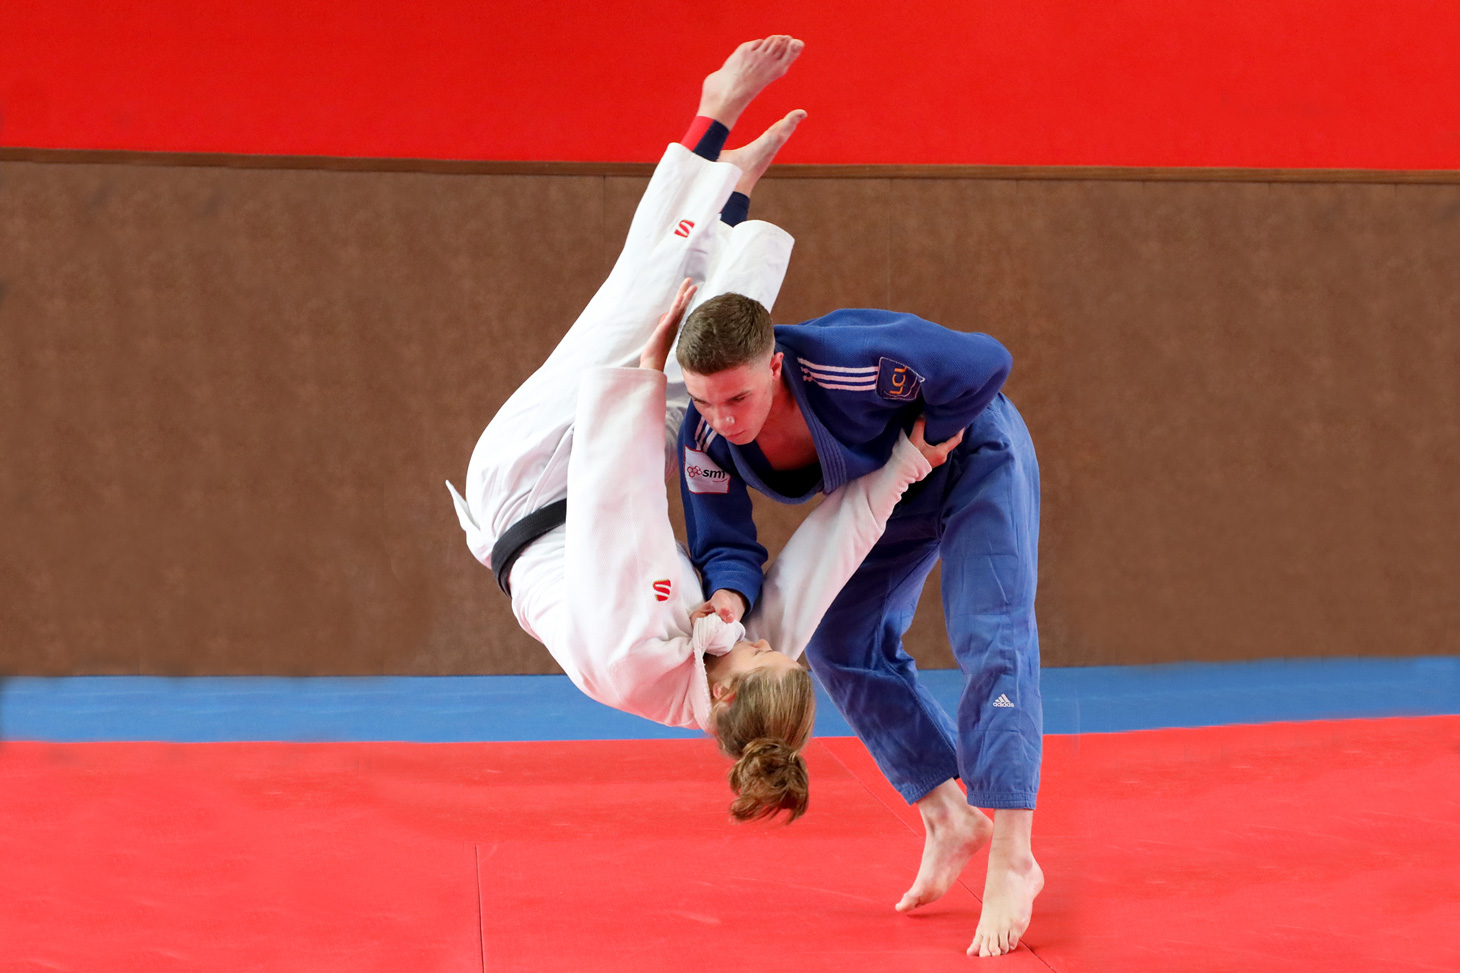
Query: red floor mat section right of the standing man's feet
[[1313, 848]]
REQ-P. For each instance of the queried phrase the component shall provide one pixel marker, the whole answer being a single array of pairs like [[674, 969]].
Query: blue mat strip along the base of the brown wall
[[455, 709]]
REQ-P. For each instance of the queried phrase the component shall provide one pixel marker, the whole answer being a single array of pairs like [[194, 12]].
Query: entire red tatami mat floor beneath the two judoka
[[1300, 847]]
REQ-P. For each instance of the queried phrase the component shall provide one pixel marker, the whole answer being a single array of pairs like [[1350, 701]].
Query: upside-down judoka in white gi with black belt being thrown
[[566, 496]]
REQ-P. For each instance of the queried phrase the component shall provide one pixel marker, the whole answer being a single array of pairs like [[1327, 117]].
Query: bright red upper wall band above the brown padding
[[1363, 84]]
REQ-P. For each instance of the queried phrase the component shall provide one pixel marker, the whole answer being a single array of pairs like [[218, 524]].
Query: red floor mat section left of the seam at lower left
[[234, 857]]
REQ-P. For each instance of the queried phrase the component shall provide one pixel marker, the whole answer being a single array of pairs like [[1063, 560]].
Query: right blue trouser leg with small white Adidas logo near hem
[[991, 569]]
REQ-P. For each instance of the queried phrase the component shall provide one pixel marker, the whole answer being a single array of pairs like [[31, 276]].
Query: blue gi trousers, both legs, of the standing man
[[980, 514]]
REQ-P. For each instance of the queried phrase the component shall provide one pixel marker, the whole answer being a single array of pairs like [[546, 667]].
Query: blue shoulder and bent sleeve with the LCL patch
[[958, 373]]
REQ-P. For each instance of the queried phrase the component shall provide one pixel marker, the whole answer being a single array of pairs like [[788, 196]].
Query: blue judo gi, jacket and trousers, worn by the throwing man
[[861, 378]]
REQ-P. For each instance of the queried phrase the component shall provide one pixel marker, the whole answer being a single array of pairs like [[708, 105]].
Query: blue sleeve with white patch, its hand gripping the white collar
[[721, 525]]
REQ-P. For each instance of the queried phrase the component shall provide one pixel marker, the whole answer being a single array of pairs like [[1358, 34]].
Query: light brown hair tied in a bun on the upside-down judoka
[[764, 730]]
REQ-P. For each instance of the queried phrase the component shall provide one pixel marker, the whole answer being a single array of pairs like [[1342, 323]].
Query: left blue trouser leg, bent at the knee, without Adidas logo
[[858, 655]]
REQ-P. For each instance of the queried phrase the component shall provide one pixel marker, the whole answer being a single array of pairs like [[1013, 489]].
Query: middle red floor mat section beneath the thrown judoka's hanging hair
[[636, 867]]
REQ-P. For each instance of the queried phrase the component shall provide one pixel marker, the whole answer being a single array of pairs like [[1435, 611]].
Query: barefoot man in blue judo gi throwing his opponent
[[802, 410]]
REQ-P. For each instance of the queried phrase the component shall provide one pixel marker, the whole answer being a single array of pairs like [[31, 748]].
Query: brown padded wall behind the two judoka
[[228, 402]]
